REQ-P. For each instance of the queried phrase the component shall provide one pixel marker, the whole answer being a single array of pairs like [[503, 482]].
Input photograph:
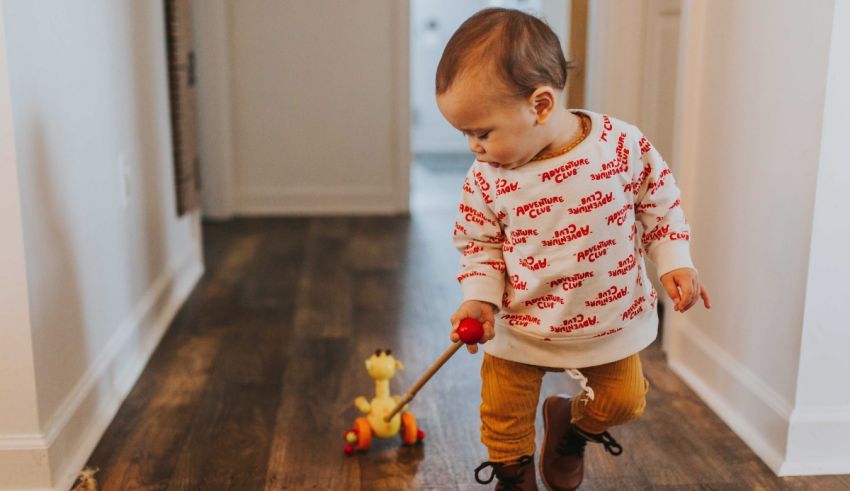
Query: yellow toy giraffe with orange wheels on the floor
[[381, 367]]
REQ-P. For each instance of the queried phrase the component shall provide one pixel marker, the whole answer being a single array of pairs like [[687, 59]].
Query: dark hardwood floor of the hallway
[[252, 386]]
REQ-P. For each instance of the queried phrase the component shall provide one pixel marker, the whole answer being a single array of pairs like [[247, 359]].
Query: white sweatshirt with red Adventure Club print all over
[[554, 243]]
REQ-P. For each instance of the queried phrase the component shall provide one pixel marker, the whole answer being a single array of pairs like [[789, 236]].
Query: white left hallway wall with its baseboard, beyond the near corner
[[105, 271]]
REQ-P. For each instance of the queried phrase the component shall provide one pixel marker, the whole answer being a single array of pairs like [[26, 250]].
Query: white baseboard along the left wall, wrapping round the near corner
[[52, 460]]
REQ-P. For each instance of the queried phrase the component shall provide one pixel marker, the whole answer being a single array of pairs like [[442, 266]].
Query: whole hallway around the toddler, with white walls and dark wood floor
[[176, 354]]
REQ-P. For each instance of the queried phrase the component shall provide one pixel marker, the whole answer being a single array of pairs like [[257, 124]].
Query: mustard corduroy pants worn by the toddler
[[510, 392]]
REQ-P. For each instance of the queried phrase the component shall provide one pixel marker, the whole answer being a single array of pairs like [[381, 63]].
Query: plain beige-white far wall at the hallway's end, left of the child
[[320, 106]]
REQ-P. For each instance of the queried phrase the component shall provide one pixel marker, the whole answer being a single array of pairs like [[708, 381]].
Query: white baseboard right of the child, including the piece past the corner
[[792, 443]]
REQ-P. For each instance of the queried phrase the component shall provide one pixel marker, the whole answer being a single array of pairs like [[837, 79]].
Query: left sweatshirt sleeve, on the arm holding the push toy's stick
[[478, 237]]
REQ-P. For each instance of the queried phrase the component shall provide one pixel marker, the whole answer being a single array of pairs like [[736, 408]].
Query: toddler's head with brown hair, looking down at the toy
[[499, 81]]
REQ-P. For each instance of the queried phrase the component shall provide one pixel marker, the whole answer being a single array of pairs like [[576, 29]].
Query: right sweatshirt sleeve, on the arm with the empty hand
[[658, 206]]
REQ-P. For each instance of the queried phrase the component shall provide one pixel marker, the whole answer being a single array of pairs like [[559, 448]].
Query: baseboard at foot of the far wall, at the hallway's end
[[313, 201]]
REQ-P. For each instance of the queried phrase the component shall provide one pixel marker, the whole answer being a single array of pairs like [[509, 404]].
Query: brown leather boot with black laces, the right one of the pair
[[562, 455]]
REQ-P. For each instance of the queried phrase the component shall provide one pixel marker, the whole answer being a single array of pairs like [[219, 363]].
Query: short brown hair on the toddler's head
[[521, 49]]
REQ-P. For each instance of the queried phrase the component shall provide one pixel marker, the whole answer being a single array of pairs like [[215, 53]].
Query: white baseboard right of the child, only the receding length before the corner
[[754, 411]]
